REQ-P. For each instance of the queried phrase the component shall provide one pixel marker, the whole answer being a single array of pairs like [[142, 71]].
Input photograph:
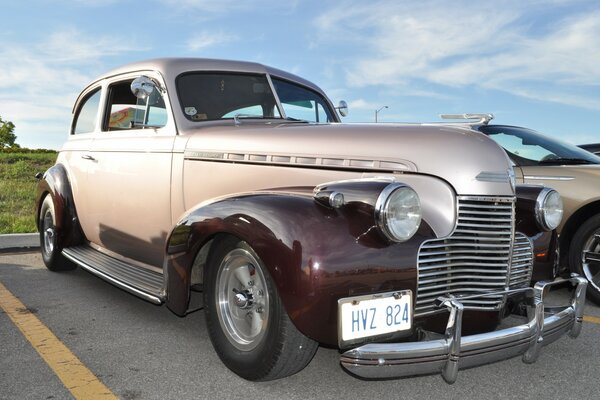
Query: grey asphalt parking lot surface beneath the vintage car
[[142, 351]]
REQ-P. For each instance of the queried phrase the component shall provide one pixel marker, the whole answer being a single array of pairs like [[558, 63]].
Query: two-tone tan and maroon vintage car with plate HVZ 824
[[233, 185]]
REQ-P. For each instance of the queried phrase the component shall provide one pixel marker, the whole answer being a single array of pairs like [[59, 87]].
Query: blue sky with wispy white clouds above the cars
[[531, 63]]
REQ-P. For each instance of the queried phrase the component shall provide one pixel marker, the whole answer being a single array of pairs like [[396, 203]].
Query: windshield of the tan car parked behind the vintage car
[[527, 147]]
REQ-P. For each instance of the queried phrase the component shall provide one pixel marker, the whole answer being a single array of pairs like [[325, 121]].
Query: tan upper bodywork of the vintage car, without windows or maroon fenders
[[133, 186]]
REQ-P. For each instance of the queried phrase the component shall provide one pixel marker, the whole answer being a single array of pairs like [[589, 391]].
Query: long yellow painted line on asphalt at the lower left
[[76, 377]]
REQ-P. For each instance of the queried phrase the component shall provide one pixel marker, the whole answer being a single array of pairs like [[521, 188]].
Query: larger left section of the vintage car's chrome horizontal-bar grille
[[474, 259]]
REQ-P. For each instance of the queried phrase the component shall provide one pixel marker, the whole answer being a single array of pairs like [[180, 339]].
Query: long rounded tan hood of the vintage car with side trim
[[471, 162]]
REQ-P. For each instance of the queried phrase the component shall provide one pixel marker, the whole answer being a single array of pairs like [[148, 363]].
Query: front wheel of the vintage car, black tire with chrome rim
[[255, 339]]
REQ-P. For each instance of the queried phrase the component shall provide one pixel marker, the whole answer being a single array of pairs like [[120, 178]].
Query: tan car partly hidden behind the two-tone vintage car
[[574, 173]]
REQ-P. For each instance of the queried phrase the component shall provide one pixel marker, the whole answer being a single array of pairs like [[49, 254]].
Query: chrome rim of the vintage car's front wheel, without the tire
[[242, 299]]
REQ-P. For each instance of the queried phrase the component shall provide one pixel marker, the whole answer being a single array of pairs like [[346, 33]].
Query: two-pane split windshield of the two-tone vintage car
[[224, 95]]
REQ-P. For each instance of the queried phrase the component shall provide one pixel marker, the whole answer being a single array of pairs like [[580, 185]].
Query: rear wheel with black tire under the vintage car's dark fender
[[49, 243]]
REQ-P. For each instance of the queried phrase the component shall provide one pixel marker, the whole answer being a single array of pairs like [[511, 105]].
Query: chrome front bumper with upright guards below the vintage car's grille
[[454, 351]]
